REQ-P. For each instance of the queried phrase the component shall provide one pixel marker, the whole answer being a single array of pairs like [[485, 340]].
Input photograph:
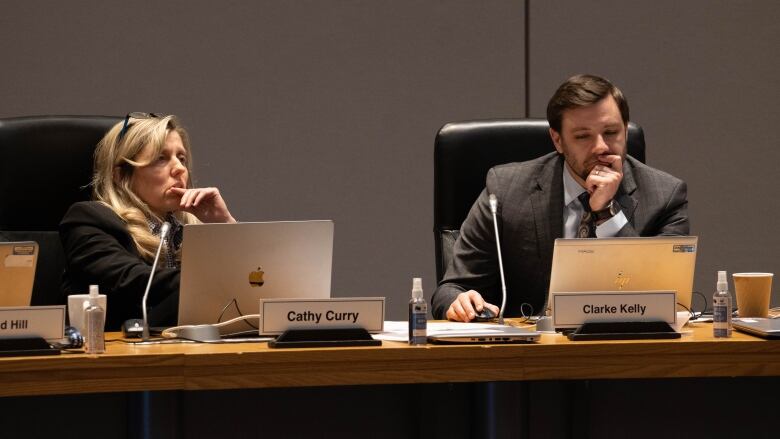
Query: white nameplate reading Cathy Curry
[[279, 315]]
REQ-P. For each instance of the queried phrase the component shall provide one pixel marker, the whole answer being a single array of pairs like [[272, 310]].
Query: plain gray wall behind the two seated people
[[328, 109]]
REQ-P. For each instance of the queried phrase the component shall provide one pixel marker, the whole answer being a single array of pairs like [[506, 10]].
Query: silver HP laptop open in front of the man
[[631, 264]]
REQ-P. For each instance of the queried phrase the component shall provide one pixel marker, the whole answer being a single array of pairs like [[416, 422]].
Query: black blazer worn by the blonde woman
[[99, 250]]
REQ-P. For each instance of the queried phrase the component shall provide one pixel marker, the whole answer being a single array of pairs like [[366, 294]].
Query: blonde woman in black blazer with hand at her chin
[[142, 178]]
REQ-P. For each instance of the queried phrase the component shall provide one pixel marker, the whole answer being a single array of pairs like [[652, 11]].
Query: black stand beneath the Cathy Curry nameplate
[[309, 338]]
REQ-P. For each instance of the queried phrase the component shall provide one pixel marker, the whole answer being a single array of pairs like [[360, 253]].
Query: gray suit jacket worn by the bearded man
[[530, 218]]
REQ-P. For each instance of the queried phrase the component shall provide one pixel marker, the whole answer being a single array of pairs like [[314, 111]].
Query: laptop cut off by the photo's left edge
[[17, 272]]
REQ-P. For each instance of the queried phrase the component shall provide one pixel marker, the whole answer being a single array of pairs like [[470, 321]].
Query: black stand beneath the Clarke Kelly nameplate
[[623, 331]]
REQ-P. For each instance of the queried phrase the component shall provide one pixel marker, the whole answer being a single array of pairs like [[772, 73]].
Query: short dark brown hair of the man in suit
[[581, 91]]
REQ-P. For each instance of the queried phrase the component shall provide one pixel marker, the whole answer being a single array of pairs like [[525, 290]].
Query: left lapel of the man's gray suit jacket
[[547, 203]]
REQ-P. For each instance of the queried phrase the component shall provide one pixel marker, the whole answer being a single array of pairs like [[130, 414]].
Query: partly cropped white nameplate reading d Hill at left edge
[[47, 322]]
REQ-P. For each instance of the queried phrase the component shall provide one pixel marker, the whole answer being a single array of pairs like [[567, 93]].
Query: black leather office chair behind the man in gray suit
[[465, 151]]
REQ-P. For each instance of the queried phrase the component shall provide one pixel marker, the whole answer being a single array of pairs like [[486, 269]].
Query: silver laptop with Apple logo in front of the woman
[[227, 268]]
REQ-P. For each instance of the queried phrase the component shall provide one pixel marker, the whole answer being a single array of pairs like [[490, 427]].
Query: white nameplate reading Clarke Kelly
[[571, 310]]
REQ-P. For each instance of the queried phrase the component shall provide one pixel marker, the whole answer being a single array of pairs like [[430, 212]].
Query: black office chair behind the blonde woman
[[45, 166]]
